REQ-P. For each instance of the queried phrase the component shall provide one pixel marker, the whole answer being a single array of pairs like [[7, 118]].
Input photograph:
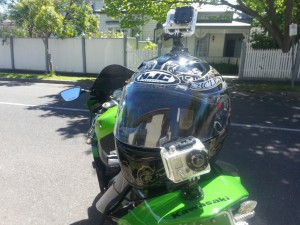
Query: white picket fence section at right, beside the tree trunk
[[265, 64]]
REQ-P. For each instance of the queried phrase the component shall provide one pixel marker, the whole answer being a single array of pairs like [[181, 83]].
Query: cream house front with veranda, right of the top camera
[[219, 33]]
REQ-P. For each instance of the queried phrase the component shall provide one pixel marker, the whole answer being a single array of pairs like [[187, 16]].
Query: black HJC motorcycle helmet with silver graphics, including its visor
[[169, 98]]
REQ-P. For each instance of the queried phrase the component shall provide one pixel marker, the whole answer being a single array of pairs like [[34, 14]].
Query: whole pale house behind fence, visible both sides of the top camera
[[219, 31]]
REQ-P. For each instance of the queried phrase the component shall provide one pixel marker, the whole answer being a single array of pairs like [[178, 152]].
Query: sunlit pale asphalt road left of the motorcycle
[[45, 166]]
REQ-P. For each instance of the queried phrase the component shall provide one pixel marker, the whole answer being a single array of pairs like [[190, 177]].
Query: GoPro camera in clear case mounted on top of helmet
[[181, 20]]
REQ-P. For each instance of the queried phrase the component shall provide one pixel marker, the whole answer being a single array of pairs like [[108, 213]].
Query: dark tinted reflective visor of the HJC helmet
[[151, 116]]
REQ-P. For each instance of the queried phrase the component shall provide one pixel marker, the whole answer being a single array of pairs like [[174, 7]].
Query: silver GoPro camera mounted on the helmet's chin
[[186, 159]]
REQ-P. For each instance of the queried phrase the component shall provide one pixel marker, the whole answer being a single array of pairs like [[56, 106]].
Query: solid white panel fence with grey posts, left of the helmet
[[76, 55]]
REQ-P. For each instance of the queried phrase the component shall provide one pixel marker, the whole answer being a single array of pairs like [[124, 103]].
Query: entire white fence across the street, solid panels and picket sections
[[80, 55]]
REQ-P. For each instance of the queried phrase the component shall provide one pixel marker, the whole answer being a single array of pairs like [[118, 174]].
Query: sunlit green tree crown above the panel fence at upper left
[[76, 16]]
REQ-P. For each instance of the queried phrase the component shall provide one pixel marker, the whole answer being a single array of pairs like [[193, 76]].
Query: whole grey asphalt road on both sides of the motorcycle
[[45, 166]]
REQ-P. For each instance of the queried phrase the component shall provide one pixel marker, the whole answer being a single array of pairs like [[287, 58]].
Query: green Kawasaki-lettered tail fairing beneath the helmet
[[220, 193]]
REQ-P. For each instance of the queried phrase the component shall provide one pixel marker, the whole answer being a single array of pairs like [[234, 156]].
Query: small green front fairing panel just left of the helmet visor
[[105, 123]]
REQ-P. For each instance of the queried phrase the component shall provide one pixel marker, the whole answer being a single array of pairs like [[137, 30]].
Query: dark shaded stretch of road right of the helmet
[[268, 159]]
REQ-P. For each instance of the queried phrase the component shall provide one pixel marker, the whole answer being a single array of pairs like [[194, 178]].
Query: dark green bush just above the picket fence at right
[[262, 41]]
